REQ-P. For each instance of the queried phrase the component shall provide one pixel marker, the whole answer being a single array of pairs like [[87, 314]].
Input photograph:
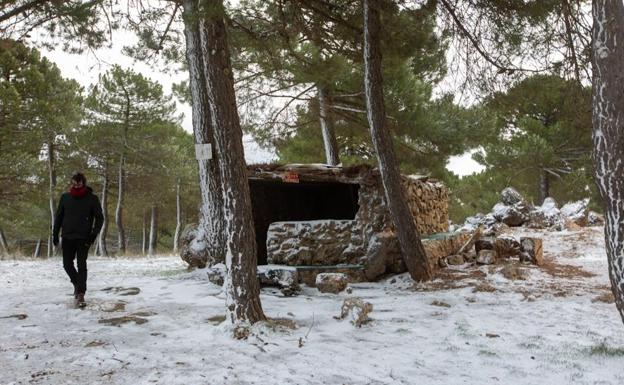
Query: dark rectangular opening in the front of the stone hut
[[275, 201]]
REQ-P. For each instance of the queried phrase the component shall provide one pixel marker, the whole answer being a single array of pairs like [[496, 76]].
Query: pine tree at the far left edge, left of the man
[[41, 110]]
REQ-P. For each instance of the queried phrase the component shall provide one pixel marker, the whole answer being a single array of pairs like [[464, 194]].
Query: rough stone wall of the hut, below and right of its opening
[[367, 240]]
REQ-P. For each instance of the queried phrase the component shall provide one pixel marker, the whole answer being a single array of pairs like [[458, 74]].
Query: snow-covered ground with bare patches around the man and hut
[[479, 328]]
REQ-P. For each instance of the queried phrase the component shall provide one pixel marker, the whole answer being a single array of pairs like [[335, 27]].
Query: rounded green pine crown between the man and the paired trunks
[[129, 115]]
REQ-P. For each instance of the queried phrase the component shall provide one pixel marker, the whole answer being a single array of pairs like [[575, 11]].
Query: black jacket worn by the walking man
[[80, 218]]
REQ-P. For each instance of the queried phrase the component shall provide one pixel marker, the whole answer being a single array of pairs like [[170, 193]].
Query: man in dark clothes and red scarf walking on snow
[[79, 214]]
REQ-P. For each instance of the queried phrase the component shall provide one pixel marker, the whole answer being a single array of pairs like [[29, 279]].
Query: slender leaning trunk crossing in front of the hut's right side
[[413, 252]]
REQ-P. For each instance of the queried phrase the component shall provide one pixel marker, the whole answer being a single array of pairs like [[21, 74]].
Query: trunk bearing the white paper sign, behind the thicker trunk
[[211, 217]]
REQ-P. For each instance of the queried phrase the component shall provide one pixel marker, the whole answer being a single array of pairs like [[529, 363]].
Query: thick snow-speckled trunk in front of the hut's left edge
[[241, 285]]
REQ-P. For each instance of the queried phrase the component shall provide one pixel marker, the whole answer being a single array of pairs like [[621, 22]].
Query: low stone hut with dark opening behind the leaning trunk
[[324, 218]]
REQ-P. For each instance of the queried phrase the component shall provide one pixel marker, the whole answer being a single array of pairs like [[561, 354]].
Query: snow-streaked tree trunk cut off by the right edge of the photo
[[608, 132]]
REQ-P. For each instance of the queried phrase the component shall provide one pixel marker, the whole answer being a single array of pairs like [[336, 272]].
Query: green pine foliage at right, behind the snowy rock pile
[[541, 128]]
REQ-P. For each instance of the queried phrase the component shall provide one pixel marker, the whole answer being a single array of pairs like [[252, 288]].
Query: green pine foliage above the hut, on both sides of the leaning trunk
[[292, 47]]
